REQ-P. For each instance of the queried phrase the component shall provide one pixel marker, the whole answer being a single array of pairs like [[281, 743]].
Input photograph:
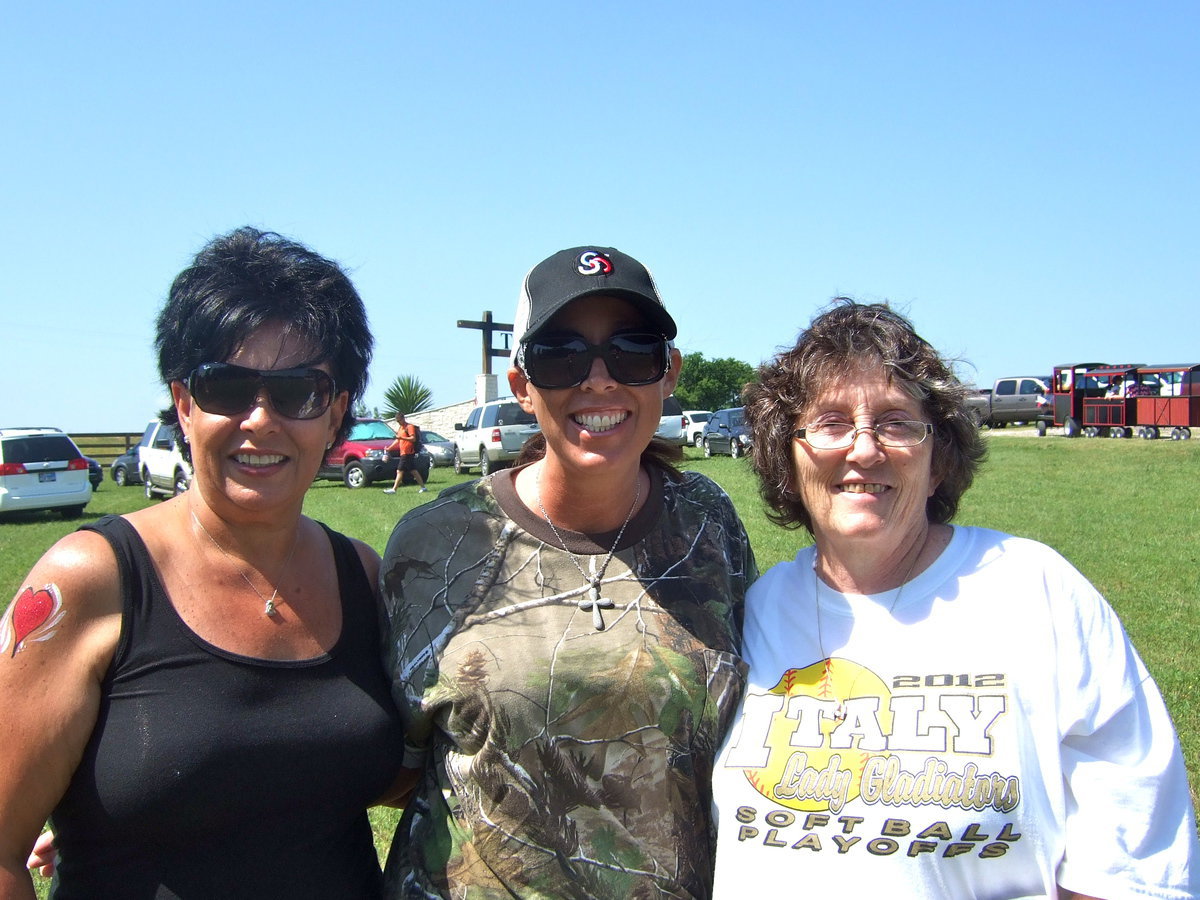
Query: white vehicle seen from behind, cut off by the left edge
[[43, 469]]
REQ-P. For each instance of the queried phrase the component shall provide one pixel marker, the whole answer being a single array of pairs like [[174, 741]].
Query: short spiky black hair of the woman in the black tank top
[[247, 279]]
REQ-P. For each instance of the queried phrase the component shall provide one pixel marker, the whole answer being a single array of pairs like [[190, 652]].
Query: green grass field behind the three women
[[1124, 512]]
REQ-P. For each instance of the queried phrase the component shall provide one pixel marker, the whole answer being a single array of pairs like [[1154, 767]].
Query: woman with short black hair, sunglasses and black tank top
[[185, 686]]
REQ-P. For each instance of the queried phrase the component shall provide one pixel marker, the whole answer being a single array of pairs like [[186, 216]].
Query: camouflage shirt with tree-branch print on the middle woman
[[562, 760]]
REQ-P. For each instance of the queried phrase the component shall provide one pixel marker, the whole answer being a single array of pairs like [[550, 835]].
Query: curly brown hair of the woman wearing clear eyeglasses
[[843, 338]]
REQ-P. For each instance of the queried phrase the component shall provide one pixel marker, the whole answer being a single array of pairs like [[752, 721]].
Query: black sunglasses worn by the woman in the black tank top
[[226, 389]]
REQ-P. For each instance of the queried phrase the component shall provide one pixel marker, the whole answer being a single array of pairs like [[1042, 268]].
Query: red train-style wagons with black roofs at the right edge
[[1099, 399]]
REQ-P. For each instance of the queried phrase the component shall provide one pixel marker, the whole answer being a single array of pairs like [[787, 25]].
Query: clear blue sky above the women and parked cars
[[1022, 178]]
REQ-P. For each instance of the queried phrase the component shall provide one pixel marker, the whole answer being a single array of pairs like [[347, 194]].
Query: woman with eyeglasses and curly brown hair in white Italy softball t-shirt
[[932, 711]]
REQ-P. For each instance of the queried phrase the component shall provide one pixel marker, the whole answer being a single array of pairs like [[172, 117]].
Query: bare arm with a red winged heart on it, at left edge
[[57, 640]]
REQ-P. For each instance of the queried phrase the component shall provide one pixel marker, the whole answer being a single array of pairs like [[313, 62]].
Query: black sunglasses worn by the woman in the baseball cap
[[632, 358]]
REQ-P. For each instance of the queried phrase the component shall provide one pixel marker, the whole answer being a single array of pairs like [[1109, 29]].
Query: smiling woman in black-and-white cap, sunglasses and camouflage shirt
[[566, 634]]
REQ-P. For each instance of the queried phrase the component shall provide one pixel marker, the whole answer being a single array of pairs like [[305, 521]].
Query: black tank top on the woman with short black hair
[[217, 776]]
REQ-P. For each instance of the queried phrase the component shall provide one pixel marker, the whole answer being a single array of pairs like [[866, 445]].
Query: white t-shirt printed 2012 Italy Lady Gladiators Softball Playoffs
[[992, 736]]
